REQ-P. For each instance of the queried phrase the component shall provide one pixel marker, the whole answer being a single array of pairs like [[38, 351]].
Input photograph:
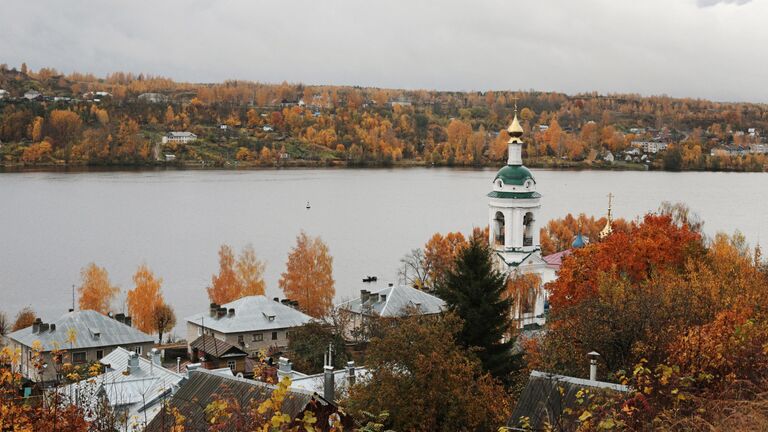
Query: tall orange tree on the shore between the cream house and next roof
[[308, 277]]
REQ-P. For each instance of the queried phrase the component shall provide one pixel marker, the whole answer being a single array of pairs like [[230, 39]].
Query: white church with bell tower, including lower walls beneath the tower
[[513, 214]]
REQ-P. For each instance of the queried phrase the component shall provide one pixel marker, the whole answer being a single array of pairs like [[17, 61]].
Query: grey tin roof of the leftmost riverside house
[[86, 324]]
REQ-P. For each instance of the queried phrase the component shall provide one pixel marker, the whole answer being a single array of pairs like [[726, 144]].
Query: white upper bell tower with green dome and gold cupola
[[514, 205]]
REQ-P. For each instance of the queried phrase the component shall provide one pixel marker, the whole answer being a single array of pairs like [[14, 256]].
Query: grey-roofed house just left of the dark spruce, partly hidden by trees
[[391, 302]]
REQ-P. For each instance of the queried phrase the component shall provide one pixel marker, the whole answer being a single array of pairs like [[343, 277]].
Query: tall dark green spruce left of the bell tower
[[474, 290]]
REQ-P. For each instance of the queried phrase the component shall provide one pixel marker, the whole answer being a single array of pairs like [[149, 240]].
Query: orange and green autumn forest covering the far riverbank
[[51, 119]]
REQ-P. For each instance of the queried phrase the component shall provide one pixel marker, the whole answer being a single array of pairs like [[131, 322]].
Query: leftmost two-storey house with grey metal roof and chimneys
[[84, 337]]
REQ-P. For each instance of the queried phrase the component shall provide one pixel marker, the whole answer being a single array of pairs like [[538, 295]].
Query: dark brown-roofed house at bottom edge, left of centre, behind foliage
[[204, 387]]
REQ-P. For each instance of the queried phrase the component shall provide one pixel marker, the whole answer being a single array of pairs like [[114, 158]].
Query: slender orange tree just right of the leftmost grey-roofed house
[[144, 298]]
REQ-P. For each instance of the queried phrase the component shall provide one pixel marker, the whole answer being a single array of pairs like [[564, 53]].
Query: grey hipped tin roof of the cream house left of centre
[[252, 314]]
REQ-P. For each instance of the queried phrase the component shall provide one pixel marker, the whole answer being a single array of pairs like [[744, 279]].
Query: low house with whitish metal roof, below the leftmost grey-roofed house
[[134, 386]]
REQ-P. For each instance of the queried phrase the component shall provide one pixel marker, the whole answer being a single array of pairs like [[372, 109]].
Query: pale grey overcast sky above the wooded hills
[[693, 48]]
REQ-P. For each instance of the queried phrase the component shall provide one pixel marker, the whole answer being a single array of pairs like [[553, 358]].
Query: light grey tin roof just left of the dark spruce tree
[[396, 301]]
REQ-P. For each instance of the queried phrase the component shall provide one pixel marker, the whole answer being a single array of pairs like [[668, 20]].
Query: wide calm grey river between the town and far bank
[[53, 224]]
